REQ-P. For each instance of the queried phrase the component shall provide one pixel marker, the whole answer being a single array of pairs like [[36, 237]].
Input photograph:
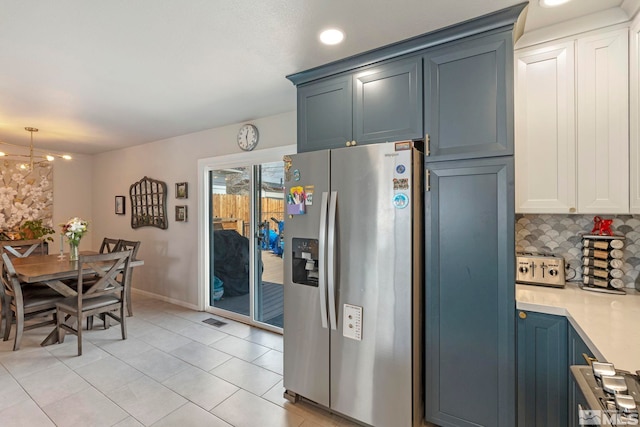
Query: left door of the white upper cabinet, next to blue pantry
[[545, 144]]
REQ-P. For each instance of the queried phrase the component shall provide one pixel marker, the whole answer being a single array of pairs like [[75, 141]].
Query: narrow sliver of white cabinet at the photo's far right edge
[[634, 114]]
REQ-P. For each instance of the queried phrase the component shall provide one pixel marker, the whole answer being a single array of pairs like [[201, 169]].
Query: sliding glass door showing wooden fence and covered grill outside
[[245, 242]]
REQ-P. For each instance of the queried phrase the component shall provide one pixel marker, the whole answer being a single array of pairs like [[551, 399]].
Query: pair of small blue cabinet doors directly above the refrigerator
[[376, 104]]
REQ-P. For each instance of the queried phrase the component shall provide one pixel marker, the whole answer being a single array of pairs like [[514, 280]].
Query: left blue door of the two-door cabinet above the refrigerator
[[324, 114]]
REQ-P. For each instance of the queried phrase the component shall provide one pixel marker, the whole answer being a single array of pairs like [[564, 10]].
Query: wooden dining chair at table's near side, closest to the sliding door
[[105, 296]]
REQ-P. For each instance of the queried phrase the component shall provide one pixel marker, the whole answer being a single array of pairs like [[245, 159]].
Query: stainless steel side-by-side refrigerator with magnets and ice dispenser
[[353, 280]]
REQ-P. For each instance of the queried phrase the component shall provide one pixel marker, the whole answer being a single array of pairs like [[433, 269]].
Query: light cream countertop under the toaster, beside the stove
[[608, 324]]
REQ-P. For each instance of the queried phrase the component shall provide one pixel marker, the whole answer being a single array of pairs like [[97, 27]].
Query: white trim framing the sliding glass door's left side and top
[[204, 167]]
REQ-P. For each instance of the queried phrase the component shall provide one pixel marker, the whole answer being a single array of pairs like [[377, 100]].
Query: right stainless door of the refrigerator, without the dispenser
[[371, 378]]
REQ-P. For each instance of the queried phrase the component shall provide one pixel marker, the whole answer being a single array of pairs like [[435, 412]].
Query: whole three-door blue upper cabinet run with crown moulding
[[454, 84]]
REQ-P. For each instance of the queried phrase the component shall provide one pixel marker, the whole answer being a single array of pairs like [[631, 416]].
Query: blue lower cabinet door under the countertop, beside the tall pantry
[[542, 370]]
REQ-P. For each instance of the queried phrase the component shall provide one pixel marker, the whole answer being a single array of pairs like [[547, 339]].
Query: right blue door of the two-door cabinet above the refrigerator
[[388, 102]]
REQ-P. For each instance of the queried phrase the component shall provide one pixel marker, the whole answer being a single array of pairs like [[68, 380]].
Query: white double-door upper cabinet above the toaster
[[572, 125]]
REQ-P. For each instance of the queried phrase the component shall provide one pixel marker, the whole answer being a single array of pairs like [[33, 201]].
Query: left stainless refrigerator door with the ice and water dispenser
[[306, 342]]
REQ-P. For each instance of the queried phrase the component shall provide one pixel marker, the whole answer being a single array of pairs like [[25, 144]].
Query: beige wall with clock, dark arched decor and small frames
[[170, 255]]
